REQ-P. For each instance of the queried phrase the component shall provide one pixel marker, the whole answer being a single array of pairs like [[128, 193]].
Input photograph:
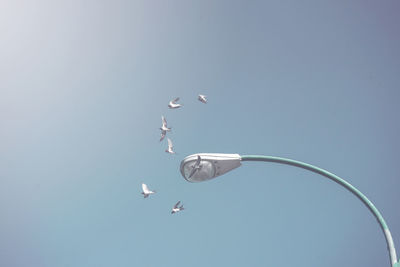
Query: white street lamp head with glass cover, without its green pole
[[205, 166]]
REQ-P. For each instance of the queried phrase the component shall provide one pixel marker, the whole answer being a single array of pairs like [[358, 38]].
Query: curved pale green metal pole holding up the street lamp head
[[348, 186]]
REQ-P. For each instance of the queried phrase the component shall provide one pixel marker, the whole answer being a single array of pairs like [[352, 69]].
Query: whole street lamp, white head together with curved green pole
[[205, 166]]
